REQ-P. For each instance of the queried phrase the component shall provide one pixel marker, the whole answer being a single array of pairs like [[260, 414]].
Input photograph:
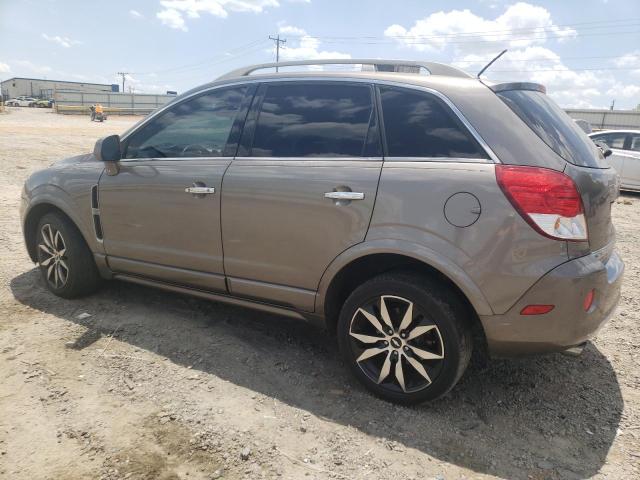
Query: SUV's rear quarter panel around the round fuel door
[[500, 252]]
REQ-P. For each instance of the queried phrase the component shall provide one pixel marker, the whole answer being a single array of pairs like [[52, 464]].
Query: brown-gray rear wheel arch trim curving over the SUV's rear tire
[[367, 260]]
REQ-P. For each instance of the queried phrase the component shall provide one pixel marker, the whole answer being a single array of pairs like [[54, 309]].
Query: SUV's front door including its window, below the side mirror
[[160, 213]]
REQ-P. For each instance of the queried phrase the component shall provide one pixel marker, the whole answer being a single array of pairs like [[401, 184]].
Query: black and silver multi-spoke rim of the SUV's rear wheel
[[396, 344]]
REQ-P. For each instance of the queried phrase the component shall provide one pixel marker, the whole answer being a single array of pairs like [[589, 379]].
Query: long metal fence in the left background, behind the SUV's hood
[[75, 102]]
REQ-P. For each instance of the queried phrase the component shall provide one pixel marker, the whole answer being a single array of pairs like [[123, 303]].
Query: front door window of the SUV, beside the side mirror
[[198, 127]]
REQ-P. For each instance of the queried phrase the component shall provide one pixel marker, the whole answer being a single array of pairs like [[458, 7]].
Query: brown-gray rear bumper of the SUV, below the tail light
[[568, 324]]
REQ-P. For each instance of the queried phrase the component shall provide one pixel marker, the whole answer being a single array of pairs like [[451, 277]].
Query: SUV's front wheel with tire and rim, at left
[[66, 263]]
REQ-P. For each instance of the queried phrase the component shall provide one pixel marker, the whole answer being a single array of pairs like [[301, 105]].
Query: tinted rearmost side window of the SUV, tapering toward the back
[[418, 124]]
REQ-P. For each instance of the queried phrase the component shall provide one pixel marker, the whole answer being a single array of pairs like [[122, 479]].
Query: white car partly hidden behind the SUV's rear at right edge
[[625, 155]]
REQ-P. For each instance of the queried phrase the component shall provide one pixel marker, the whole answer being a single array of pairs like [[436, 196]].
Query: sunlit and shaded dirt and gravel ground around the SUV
[[135, 383]]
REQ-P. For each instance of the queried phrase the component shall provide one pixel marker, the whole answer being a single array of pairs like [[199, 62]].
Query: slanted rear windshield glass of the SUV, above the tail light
[[554, 127]]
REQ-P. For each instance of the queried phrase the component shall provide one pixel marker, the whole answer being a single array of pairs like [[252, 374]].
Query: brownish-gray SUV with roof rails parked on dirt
[[415, 216]]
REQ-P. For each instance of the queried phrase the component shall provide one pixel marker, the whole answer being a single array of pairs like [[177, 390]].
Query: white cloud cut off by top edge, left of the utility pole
[[173, 12]]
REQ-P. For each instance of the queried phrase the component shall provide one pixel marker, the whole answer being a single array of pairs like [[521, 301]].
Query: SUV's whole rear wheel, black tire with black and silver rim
[[405, 337]]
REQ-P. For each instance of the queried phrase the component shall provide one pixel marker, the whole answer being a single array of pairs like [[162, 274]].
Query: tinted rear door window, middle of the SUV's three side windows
[[316, 120]]
